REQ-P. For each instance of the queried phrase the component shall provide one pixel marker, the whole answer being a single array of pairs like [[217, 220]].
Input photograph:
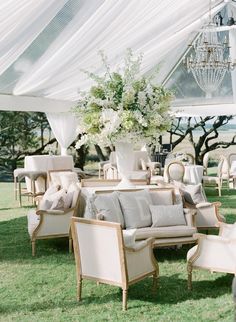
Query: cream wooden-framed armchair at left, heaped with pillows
[[53, 223]]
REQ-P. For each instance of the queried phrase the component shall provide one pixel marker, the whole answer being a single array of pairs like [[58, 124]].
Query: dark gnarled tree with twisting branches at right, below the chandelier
[[209, 133]]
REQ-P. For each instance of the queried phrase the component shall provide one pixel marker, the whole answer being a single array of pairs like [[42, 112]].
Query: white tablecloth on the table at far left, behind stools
[[45, 163]]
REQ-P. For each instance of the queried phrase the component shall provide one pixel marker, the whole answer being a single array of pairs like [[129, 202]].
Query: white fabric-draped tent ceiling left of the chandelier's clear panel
[[49, 42]]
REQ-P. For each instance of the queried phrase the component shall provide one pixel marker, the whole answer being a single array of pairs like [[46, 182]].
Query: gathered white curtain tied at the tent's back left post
[[63, 126]]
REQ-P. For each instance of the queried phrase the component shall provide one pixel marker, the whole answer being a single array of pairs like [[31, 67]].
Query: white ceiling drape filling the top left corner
[[20, 23]]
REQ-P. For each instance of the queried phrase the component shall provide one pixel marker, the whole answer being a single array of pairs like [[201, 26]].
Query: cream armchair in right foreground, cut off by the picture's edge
[[214, 253]]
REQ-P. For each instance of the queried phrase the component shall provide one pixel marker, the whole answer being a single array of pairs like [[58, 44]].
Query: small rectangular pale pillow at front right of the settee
[[163, 216]]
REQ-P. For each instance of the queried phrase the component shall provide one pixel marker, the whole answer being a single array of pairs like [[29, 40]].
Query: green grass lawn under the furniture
[[44, 288]]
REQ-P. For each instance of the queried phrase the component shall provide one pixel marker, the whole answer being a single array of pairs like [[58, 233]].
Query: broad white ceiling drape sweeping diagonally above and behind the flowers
[[114, 26]]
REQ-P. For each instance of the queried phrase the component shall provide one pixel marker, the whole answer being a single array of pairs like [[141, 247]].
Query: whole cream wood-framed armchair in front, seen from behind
[[100, 255]]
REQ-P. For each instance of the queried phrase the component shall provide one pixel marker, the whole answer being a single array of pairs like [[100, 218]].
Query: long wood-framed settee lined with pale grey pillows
[[156, 213]]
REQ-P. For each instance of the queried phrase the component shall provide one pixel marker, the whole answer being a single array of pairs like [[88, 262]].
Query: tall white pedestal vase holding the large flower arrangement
[[125, 163]]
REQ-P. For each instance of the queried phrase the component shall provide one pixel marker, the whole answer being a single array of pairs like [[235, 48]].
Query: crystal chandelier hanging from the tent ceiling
[[210, 59]]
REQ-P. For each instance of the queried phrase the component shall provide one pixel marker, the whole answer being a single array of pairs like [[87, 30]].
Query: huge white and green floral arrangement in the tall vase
[[122, 106]]
